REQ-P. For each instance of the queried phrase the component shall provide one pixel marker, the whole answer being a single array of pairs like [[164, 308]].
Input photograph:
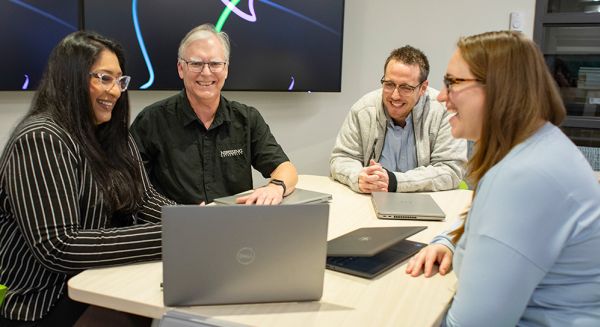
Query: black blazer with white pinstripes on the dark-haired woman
[[53, 223]]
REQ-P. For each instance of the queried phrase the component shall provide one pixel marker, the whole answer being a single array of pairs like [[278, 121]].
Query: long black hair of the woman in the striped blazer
[[64, 94]]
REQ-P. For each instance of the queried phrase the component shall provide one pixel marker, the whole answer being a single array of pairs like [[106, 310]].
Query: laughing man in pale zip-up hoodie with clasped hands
[[397, 138]]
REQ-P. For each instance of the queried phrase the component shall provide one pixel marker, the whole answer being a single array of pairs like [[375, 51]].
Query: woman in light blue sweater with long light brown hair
[[527, 252]]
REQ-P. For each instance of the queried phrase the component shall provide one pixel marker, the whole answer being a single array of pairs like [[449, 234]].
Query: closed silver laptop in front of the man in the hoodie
[[411, 206]]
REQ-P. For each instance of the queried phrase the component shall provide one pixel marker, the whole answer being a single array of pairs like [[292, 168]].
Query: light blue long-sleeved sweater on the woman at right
[[530, 255]]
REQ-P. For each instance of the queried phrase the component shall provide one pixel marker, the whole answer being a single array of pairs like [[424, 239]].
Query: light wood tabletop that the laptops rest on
[[392, 299]]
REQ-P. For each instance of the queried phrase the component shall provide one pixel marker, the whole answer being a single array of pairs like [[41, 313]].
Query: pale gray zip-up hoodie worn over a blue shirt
[[441, 158]]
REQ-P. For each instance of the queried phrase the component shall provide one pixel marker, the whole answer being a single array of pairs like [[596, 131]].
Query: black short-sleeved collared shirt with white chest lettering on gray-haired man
[[190, 164]]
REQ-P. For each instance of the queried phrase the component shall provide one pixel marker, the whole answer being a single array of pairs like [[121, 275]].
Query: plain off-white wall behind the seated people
[[306, 124]]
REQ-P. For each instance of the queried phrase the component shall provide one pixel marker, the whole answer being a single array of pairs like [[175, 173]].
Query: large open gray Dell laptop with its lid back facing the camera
[[243, 254]]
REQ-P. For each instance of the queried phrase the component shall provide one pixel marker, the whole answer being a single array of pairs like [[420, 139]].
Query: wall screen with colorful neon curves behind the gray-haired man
[[275, 46]]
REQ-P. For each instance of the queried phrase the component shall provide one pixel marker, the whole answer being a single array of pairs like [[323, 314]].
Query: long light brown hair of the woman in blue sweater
[[520, 95]]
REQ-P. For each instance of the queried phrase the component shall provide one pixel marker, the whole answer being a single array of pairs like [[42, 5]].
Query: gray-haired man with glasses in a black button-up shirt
[[197, 145]]
